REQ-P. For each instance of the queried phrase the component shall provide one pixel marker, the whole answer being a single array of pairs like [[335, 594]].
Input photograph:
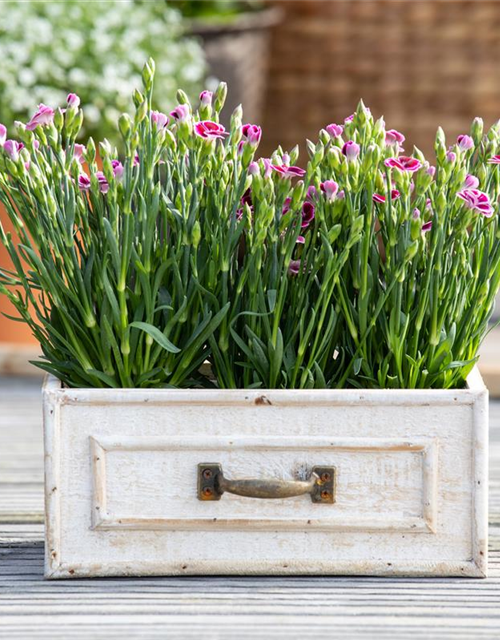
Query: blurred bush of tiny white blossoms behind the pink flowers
[[98, 49]]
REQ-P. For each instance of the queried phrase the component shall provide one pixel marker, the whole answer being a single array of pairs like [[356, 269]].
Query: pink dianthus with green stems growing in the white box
[[367, 268]]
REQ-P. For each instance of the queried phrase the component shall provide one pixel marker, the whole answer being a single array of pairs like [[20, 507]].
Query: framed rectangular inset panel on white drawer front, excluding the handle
[[151, 483]]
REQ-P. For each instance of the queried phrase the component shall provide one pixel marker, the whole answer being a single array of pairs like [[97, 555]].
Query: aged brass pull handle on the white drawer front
[[212, 484]]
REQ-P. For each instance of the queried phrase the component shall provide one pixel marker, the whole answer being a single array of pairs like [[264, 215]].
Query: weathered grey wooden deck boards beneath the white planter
[[212, 608]]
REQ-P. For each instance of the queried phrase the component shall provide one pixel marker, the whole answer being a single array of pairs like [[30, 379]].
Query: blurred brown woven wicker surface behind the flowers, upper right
[[408, 60]]
